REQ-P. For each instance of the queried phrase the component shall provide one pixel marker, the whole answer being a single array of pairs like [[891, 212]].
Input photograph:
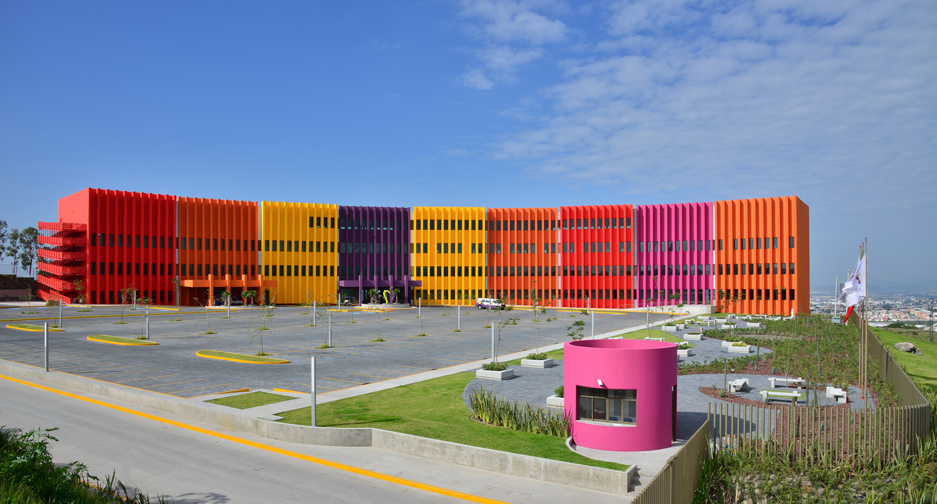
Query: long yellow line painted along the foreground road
[[271, 449]]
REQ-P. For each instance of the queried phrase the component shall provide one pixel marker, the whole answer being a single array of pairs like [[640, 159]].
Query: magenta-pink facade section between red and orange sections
[[674, 254]]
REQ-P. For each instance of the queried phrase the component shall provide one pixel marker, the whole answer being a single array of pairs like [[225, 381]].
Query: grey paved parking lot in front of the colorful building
[[171, 367]]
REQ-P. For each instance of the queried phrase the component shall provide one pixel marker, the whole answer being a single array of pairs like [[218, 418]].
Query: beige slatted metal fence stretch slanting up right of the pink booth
[[676, 482]]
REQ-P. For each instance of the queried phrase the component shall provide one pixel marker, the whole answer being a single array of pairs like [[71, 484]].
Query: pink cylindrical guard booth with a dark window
[[621, 395]]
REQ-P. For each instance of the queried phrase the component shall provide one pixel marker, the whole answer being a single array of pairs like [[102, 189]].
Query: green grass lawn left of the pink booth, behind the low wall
[[434, 409]]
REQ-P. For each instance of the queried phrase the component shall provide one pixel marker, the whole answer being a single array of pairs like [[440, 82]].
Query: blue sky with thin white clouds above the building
[[488, 103]]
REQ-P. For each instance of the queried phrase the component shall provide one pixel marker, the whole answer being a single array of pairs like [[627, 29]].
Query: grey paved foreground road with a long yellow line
[[190, 467]]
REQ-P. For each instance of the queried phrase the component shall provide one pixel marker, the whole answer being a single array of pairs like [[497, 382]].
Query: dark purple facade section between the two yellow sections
[[374, 250]]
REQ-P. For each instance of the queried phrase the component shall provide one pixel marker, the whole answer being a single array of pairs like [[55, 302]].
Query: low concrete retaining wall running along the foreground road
[[592, 478]]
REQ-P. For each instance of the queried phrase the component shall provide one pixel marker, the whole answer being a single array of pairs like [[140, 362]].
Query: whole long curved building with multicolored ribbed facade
[[750, 256]]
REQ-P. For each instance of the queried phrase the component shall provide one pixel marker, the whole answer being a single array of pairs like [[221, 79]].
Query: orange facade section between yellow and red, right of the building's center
[[522, 255]]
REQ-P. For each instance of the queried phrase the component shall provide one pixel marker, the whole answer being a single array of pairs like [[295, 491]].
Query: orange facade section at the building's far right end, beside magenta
[[762, 255]]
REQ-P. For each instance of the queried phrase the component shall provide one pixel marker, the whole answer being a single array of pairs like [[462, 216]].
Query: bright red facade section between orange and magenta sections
[[595, 262]]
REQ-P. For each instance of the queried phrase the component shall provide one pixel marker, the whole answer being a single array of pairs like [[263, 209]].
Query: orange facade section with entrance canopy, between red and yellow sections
[[217, 239]]
